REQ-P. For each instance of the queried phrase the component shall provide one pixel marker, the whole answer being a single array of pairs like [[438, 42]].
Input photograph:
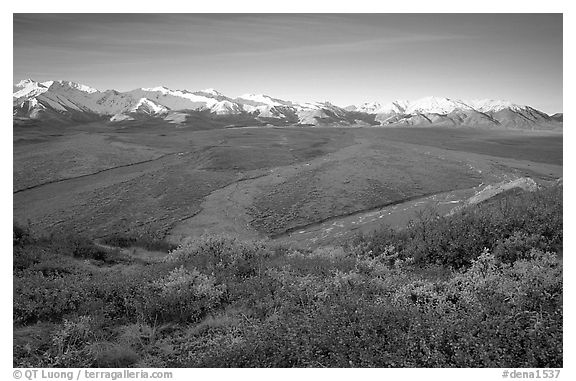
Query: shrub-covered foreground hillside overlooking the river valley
[[481, 288]]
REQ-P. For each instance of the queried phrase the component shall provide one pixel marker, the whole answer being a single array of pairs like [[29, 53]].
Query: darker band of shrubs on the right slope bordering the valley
[[513, 223]]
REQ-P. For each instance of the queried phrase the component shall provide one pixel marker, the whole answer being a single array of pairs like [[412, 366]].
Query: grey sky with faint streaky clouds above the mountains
[[342, 58]]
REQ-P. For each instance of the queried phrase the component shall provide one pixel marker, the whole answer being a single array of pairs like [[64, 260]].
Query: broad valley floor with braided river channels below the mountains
[[299, 185]]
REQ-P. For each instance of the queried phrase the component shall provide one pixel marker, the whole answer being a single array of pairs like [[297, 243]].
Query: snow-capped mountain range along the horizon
[[70, 102]]
